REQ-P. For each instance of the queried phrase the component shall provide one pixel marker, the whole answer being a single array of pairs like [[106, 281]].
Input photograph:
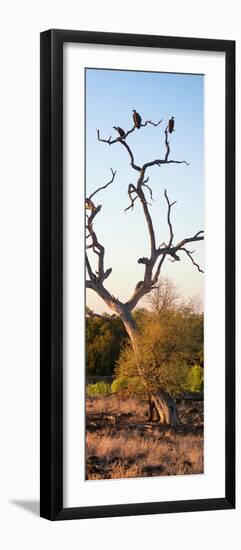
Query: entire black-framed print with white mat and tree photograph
[[137, 274]]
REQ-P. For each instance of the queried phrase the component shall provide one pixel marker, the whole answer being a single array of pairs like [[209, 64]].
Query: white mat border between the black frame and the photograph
[[77, 491]]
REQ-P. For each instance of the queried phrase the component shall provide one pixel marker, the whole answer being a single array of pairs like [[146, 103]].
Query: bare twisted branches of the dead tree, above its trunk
[[157, 254]]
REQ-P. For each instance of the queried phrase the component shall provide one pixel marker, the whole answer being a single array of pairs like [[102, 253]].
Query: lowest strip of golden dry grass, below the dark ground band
[[173, 455]]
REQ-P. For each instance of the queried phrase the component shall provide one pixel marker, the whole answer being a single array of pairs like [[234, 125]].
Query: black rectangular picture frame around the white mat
[[51, 323]]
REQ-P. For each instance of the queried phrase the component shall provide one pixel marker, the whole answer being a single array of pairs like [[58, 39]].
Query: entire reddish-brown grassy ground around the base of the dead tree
[[121, 443]]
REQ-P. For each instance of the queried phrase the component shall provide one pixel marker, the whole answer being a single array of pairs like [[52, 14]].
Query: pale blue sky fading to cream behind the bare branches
[[110, 97]]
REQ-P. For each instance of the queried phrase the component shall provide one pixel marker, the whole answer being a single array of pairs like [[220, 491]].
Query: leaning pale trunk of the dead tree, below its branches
[[159, 401]]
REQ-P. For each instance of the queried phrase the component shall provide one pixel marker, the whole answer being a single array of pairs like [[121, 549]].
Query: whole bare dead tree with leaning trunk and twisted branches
[[158, 399]]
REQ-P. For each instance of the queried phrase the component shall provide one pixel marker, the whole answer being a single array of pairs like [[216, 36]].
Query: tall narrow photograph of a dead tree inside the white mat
[[145, 274]]
